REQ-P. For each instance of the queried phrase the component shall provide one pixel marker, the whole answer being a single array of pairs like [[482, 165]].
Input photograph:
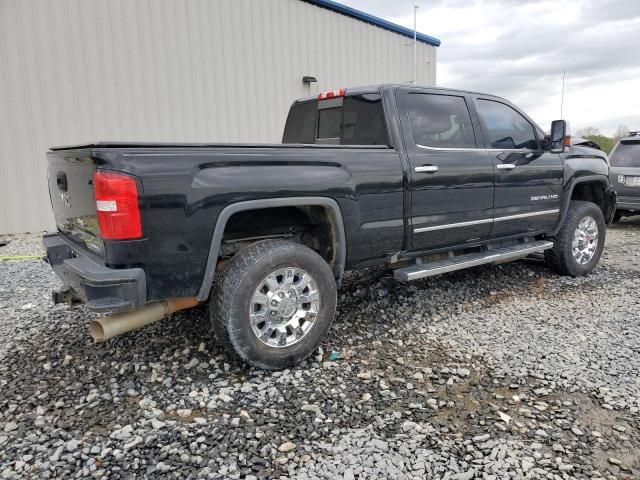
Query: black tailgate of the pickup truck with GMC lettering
[[70, 175]]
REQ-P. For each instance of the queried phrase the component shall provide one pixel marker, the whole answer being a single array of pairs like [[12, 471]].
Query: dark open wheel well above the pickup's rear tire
[[313, 226]]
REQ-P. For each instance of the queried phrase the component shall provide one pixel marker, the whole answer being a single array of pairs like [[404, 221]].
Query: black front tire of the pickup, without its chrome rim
[[560, 258]]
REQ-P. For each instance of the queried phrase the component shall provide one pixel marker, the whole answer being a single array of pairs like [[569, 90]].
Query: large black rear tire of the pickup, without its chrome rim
[[235, 284]]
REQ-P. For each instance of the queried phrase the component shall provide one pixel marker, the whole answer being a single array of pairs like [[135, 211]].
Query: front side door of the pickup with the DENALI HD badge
[[528, 182]]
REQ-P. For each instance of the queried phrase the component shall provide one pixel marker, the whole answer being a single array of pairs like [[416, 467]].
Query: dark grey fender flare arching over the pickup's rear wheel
[[230, 210]]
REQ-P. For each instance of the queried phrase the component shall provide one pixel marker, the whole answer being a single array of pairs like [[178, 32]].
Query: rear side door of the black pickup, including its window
[[451, 176]]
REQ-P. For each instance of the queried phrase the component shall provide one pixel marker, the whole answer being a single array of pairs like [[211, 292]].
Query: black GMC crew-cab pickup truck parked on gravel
[[423, 180]]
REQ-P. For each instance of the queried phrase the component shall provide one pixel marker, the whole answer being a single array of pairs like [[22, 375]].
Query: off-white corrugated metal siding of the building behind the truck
[[168, 70]]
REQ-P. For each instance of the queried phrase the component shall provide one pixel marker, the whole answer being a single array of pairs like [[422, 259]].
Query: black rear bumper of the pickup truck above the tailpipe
[[100, 287]]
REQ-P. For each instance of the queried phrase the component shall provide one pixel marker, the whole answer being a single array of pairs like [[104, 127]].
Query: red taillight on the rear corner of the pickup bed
[[117, 206]]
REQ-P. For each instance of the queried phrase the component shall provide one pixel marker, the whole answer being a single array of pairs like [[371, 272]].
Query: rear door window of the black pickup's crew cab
[[440, 121]]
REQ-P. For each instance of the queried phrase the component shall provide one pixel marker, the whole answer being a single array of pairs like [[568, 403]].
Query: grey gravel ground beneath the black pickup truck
[[498, 372]]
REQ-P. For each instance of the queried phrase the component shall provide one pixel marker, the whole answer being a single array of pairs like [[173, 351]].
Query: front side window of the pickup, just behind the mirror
[[507, 129]]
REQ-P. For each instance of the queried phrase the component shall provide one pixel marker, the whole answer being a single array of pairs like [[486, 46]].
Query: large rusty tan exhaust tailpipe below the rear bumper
[[104, 328]]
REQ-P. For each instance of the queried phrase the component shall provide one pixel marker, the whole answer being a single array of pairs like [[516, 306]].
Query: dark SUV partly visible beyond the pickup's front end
[[625, 175]]
